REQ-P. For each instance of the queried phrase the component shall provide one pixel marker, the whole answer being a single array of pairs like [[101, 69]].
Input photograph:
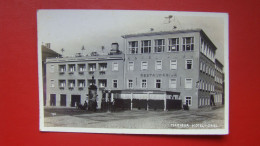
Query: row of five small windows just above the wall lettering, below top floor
[[159, 64]]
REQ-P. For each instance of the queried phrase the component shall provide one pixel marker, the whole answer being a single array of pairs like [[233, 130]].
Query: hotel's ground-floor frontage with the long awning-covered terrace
[[133, 99]]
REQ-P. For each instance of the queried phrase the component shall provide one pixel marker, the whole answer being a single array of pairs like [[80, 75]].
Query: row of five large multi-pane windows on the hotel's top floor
[[159, 45]]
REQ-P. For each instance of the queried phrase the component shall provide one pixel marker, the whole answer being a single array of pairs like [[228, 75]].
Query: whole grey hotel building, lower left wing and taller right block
[[158, 70]]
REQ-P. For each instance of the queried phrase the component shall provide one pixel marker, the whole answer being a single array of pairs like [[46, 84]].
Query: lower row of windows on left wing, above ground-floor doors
[[102, 83]]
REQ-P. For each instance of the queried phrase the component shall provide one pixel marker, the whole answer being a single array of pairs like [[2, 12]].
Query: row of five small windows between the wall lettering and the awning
[[158, 83]]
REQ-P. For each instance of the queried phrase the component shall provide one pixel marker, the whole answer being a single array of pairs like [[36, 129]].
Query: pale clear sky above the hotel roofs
[[73, 29]]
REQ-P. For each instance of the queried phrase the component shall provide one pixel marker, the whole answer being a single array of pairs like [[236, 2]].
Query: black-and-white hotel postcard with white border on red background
[[133, 72]]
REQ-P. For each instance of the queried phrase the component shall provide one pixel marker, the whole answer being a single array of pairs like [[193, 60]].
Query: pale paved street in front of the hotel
[[205, 118]]
